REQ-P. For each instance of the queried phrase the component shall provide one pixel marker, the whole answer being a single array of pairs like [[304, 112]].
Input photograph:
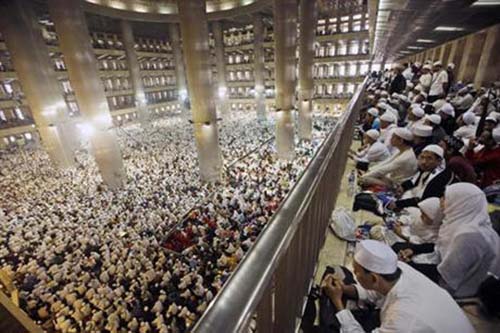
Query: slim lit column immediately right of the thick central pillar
[[221, 68]]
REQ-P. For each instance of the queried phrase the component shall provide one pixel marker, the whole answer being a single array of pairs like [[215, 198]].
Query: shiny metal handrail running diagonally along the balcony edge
[[237, 301]]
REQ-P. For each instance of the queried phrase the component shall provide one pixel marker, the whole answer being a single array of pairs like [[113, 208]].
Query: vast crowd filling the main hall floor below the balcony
[[152, 255]]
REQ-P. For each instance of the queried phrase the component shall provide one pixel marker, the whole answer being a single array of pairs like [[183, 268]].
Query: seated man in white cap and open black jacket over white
[[430, 180]]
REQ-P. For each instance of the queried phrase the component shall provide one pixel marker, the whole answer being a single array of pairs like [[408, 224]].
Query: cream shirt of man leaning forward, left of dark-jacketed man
[[398, 167]]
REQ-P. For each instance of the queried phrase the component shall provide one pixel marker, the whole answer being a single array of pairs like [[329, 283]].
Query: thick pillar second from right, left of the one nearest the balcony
[[285, 43]]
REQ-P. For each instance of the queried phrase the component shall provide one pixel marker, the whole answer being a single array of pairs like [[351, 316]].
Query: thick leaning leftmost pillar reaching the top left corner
[[35, 71]]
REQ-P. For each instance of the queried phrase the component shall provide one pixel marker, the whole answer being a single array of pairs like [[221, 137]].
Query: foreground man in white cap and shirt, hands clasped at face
[[408, 301]]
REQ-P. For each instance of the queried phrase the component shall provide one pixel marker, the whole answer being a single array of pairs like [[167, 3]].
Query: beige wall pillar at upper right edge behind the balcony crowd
[[489, 63]]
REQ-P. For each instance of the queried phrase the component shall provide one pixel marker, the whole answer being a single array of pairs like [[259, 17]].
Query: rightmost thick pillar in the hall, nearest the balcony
[[308, 22]]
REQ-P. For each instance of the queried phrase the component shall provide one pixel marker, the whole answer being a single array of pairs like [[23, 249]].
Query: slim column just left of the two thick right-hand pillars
[[259, 66]]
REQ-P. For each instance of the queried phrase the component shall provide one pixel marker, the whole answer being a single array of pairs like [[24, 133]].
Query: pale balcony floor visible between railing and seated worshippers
[[335, 252]]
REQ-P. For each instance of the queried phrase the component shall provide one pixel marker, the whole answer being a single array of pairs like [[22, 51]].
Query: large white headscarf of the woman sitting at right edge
[[466, 210]]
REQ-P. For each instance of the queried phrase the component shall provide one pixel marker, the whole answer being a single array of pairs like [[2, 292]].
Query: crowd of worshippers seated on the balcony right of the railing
[[430, 155]]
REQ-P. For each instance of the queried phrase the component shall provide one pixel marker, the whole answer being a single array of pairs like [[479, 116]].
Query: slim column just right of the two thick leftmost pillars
[[135, 73]]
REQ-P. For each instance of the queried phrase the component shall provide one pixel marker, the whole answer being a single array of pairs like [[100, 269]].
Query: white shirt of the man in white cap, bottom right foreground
[[414, 304]]
